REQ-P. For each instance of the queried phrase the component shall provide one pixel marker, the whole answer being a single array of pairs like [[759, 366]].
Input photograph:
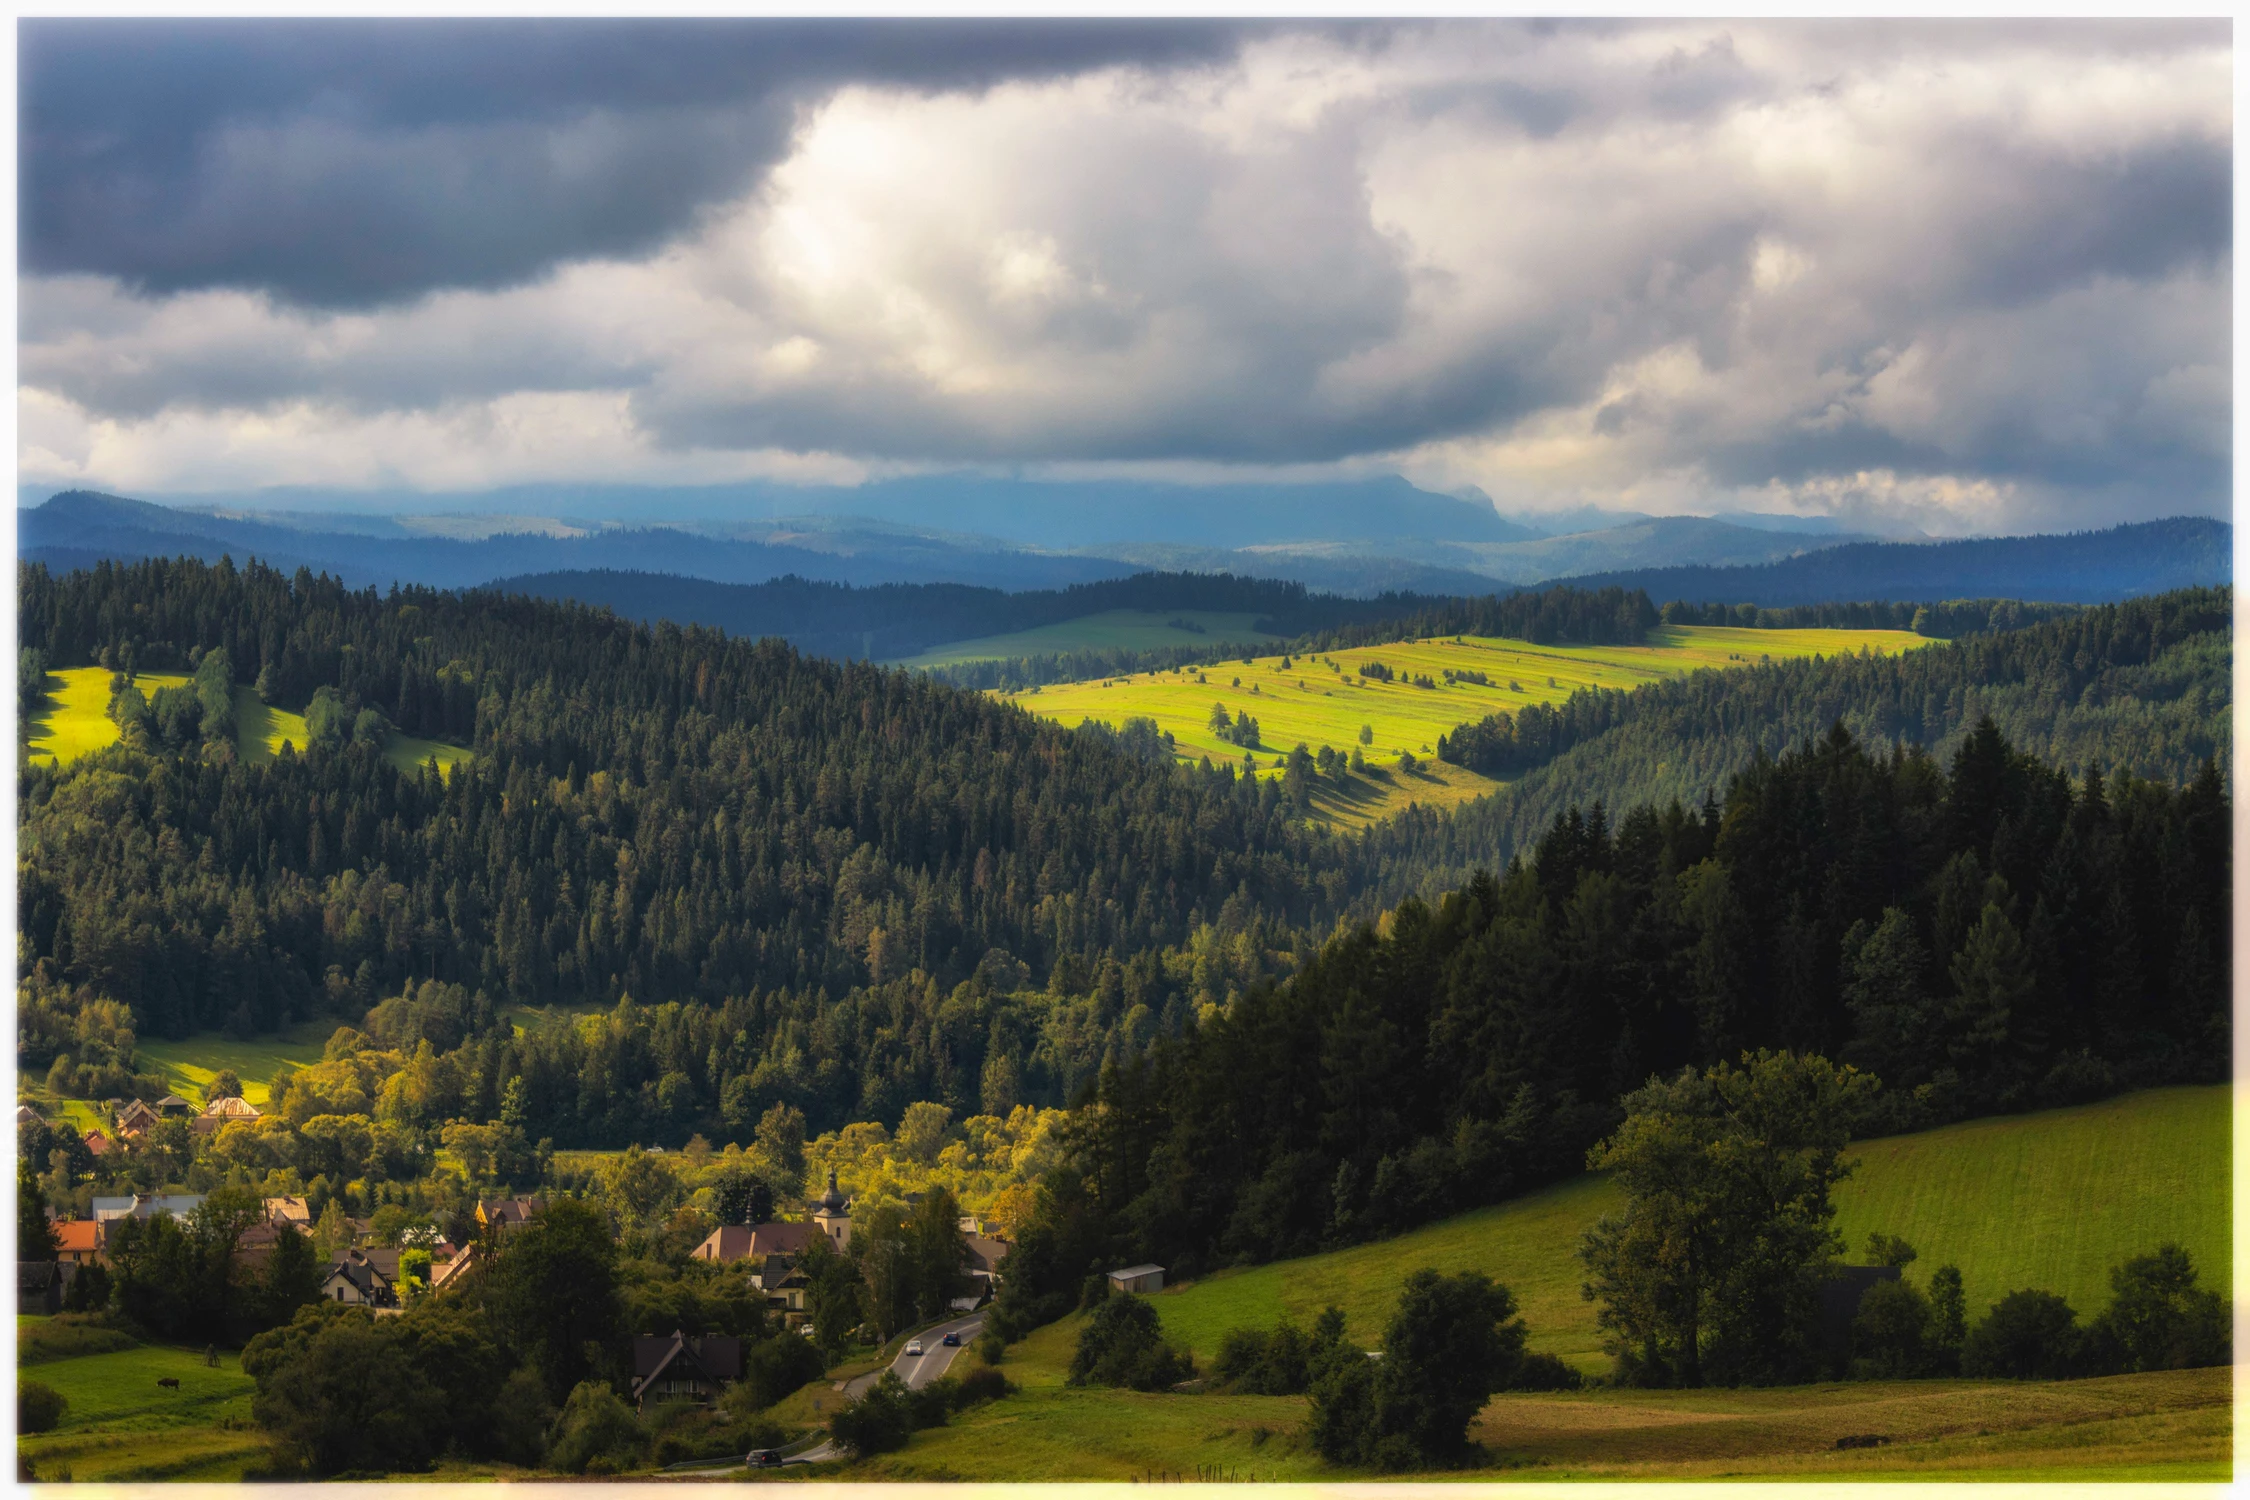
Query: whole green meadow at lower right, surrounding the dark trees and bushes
[[2049, 1200]]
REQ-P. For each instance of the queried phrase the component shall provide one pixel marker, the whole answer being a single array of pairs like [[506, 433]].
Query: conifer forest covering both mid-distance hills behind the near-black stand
[[798, 883]]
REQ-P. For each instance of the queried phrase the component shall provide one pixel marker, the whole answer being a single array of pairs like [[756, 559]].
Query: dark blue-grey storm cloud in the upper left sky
[[350, 163]]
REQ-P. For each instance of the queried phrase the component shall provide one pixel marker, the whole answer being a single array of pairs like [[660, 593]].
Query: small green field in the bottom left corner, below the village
[[125, 1427]]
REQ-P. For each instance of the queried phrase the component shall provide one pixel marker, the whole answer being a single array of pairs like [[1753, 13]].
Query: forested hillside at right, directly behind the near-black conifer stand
[[2143, 687]]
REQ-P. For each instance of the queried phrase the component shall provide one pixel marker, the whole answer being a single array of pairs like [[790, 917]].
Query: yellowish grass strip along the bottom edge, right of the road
[[2148, 1427]]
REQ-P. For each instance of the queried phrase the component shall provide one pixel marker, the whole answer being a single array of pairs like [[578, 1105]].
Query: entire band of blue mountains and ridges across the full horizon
[[753, 575]]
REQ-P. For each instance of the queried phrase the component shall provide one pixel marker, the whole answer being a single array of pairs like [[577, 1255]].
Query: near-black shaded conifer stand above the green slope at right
[[1986, 934]]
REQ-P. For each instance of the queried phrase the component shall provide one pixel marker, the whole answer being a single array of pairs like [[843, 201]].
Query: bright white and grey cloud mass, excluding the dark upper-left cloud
[[1954, 275]]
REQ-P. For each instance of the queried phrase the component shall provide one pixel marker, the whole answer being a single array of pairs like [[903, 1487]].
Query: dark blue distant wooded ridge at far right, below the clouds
[[2080, 568]]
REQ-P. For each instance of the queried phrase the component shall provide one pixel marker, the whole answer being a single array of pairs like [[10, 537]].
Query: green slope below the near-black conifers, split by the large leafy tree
[[2049, 1202]]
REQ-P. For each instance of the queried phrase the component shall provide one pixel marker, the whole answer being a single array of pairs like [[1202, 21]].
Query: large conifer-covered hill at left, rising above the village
[[649, 813]]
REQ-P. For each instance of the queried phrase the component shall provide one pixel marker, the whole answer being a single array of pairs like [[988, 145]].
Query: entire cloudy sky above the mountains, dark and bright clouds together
[[1956, 278]]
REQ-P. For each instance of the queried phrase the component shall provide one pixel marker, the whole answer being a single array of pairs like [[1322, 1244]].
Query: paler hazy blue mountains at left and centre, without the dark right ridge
[[1342, 539]]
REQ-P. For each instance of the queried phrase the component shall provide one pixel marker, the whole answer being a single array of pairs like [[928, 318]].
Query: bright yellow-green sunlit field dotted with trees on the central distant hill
[[1329, 701]]
